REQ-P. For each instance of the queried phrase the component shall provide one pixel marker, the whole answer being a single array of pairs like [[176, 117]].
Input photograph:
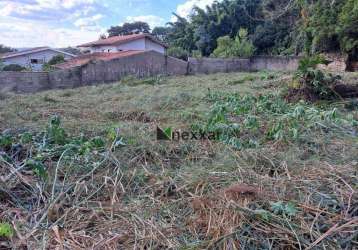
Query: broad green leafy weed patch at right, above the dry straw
[[246, 121]]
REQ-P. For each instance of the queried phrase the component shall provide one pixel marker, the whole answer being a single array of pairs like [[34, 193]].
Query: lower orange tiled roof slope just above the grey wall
[[101, 56]]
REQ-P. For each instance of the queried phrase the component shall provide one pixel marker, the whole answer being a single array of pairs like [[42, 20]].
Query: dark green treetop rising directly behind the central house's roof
[[129, 29]]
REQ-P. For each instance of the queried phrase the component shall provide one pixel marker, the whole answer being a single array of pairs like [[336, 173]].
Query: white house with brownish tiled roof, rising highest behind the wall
[[135, 42]]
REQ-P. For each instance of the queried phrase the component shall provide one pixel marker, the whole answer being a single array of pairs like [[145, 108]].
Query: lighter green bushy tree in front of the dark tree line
[[240, 47]]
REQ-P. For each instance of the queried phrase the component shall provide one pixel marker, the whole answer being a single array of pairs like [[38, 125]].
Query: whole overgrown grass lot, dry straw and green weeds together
[[279, 176]]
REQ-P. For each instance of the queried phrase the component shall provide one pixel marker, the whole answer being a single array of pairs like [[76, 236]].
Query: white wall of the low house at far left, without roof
[[25, 60]]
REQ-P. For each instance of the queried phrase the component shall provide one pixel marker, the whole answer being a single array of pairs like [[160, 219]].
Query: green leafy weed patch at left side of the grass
[[51, 145]]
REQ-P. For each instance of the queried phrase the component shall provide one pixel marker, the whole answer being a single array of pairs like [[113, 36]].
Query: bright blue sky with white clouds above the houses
[[62, 23]]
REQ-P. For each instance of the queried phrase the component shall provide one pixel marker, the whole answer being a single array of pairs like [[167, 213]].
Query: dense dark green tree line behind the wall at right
[[278, 27]]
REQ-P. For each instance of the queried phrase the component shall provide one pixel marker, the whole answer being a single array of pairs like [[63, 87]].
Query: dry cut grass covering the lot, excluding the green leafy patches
[[175, 195]]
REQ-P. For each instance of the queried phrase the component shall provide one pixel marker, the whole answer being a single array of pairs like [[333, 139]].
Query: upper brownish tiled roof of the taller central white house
[[117, 40]]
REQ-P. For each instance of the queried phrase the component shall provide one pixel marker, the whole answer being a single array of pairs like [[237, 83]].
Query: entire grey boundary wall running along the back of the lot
[[149, 63]]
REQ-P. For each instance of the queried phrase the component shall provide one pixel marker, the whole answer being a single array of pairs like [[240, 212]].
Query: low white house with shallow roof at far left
[[33, 58]]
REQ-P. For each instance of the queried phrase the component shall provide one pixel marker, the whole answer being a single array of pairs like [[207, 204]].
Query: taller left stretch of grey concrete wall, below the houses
[[146, 64]]
